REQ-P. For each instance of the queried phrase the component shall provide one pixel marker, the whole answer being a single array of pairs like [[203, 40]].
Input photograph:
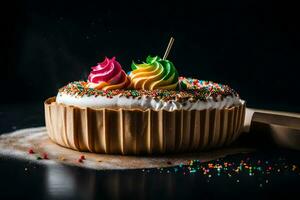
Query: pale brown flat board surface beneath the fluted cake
[[15, 145]]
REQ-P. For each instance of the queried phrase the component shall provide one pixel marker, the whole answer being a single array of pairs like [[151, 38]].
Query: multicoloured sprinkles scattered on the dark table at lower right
[[261, 170]]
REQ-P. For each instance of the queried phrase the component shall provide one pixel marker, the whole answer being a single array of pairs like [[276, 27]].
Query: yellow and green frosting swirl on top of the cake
[[155, 73]]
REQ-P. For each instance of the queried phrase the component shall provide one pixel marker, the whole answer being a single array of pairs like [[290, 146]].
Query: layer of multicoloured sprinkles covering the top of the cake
[[203, 91]]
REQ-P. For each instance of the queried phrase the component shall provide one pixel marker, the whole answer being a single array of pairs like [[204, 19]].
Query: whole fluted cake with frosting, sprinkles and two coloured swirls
[[150, 110]]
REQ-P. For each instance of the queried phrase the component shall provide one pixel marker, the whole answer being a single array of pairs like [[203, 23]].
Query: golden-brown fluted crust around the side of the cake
[[136, 132]]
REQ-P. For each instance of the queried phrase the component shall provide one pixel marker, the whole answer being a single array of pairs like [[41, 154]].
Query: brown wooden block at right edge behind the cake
[[282, 128]]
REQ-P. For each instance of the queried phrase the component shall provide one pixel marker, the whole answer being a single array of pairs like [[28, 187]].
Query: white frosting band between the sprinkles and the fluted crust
[[144, 102]]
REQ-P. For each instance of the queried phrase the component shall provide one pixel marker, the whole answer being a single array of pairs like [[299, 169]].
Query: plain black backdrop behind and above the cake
[[250, 45]]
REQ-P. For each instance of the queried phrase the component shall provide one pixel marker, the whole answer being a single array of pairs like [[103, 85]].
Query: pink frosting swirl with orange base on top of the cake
[[108, 75]]
